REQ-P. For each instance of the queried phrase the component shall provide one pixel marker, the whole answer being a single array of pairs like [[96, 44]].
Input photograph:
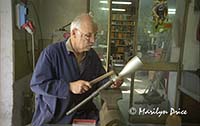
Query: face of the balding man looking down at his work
[[85, 37]]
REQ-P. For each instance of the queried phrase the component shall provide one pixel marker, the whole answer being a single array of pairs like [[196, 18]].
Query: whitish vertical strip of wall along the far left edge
[[6, 63]]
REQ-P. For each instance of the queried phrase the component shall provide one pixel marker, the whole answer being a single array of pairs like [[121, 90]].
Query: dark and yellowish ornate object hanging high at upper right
[[160, 12]]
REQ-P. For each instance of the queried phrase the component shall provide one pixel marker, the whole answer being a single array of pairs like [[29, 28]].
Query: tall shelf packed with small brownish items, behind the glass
[[122, 30]]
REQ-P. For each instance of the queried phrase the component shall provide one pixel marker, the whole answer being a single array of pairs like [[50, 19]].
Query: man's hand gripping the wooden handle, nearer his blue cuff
[[79, 87]]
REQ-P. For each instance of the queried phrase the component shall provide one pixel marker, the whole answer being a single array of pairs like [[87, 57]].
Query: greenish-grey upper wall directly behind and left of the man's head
[[57, 13]]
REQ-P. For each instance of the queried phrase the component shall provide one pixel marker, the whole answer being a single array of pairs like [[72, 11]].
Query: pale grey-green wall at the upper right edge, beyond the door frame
[[191, 60]]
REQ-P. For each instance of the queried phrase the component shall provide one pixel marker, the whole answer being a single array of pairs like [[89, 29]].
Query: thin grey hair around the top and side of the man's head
[[76, 23]]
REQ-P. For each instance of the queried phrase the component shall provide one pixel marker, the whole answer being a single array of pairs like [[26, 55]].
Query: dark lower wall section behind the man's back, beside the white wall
[[23, 102]]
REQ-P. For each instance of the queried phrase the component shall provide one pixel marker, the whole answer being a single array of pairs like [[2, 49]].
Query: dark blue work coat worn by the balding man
[[55, 69]]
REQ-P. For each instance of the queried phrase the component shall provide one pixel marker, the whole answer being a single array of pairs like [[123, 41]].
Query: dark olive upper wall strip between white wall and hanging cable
[[22, 40]]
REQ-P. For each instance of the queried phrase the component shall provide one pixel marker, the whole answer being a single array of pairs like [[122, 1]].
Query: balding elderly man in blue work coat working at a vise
[[60, 79]]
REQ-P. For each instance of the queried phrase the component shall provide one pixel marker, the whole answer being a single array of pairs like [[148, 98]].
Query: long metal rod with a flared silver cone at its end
[[134, 64]]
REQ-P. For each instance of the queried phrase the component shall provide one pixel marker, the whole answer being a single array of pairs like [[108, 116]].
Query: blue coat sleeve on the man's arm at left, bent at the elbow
[[44, 81]]
